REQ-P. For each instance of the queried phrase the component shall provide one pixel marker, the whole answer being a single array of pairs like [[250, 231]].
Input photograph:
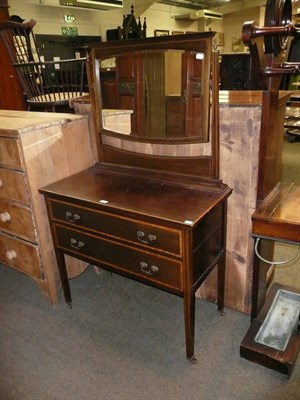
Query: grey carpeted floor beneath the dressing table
[[125, 341]]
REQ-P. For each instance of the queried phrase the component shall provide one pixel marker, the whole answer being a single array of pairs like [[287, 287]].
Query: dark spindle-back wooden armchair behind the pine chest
[[47, 84]]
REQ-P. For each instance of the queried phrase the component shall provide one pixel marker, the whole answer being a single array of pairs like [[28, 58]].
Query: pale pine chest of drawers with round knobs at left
[[36, 149]]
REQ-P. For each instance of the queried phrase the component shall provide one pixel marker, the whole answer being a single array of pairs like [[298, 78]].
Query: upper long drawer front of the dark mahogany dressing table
[[156, 237]]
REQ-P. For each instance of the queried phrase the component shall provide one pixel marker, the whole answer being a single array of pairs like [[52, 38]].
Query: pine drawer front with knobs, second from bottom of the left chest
[[17, 220]]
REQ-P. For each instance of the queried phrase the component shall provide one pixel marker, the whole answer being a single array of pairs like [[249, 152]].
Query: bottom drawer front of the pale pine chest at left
[[20, 255]]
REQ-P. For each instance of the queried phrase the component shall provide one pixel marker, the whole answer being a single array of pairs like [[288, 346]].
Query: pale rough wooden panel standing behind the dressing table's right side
[[239, 130]]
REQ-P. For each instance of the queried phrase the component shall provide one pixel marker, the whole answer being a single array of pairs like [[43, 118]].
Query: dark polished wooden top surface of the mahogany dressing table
[[147, 193]]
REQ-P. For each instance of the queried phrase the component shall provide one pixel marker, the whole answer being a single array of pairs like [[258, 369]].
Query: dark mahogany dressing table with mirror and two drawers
[[153, 207]]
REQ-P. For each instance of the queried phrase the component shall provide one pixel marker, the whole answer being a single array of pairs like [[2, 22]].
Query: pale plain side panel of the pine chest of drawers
[[58, 149]]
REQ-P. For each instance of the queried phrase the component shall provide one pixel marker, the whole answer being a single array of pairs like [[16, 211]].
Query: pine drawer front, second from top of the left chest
[[13, 185]]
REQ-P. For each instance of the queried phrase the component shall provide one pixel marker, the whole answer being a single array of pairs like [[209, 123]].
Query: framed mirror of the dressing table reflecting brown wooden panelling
[[157, 91]]
